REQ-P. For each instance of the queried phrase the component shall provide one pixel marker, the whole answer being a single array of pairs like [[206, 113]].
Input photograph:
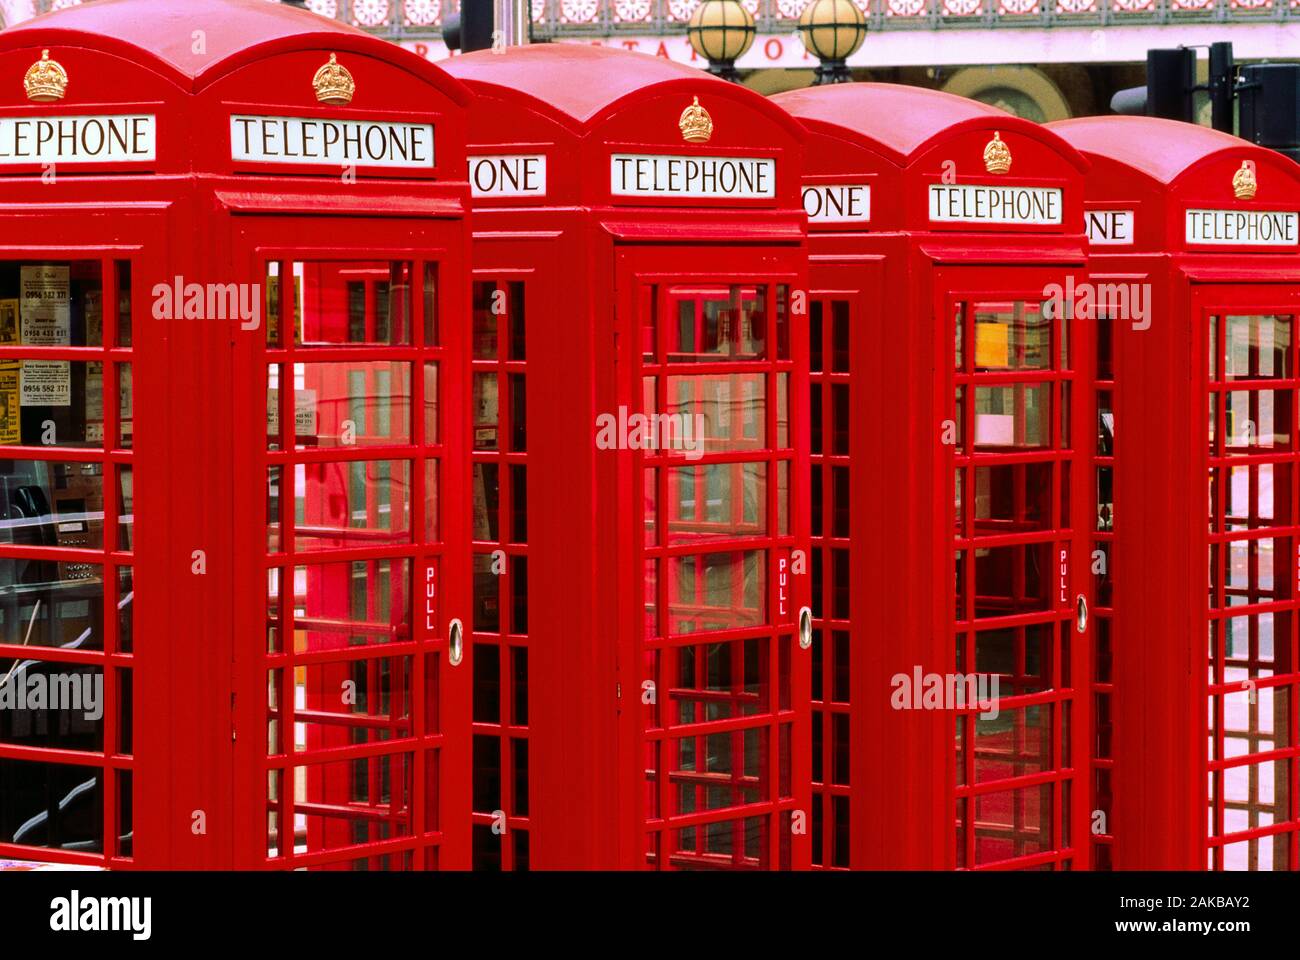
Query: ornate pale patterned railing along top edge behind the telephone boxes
[[415, 19]]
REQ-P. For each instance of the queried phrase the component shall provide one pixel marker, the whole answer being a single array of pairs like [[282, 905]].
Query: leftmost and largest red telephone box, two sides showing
[[235, 261]]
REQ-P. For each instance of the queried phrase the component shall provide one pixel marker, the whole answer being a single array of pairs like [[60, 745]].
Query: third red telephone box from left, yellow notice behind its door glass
[[948, 514]]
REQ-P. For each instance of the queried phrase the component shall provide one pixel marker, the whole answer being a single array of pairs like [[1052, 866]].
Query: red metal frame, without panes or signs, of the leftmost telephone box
[[198, 704]]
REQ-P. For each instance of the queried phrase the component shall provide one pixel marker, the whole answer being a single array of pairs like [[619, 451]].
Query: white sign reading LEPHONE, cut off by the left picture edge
[[123, 139]]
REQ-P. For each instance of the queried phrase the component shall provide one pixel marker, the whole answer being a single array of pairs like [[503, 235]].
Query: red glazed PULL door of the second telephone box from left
[[714, 650]]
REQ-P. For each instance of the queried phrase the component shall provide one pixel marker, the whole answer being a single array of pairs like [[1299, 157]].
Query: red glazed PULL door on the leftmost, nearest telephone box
[[357, 677]]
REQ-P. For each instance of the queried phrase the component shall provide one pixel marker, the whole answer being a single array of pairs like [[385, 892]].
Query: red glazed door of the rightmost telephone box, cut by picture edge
[[1249, 366]]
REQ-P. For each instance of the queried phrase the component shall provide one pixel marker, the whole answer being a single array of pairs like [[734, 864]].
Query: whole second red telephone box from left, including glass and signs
[[645, 219]]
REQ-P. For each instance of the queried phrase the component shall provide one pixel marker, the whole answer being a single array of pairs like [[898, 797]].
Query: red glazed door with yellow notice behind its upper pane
[[1021, 512]]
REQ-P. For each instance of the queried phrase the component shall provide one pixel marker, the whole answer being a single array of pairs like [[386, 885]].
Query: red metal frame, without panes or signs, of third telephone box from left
[[903, 278]]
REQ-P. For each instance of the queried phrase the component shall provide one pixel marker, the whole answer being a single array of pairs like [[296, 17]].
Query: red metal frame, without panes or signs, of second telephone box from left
[[597, 269]]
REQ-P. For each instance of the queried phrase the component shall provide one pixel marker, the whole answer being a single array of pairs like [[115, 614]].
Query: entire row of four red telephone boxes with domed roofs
[[671, 477]]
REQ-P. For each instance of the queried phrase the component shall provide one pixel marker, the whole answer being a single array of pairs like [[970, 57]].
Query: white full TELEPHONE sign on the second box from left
[[705, 178]]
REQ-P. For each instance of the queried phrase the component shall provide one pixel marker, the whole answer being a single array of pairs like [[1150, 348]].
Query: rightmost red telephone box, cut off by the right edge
[[1194, 240]]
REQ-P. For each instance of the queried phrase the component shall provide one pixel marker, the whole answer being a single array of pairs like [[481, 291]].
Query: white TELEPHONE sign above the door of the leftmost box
[[328, 142]]
